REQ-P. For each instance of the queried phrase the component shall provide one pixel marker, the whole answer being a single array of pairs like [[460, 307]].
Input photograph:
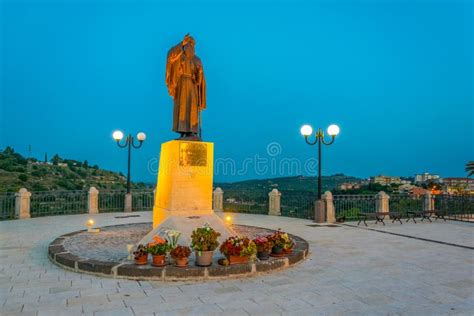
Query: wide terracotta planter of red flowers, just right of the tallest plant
[[238, 249]]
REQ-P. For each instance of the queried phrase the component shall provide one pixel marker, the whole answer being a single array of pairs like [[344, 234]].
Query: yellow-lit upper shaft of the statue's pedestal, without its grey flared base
[[184, 180]]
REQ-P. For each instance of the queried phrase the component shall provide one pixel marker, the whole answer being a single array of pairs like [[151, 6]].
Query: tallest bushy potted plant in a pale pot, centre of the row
[[204, 242]]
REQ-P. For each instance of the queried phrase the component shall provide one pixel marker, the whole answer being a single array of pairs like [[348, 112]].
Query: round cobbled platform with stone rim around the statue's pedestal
[[105, 254]]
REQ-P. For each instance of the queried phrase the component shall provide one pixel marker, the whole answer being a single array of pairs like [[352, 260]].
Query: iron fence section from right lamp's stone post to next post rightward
[[348, 206]]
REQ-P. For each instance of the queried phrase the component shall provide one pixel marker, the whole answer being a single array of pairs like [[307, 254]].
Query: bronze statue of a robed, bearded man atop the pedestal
[[187, 85]]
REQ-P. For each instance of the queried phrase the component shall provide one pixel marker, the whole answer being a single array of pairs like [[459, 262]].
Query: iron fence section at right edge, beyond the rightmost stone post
[[457, 207]]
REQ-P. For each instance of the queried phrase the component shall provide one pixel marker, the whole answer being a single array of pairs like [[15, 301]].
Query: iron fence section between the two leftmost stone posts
[[58, 203]]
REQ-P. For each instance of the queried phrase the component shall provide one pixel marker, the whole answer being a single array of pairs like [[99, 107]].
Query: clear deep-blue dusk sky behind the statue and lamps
[[396, 76]]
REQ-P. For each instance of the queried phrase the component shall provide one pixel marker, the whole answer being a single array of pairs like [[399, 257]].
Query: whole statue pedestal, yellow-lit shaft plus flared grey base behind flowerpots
[[183, 197]]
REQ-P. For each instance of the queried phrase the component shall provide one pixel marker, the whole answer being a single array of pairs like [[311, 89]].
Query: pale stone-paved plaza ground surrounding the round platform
[[350, 271]]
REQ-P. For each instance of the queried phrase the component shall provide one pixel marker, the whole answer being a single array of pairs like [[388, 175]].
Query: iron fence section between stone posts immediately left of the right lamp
[[298, 204]]
